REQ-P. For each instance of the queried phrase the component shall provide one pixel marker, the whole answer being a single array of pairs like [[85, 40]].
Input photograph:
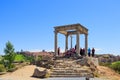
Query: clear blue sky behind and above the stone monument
[[29, 24]]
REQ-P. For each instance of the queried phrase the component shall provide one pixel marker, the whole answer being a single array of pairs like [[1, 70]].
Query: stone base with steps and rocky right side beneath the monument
[[66, 67]]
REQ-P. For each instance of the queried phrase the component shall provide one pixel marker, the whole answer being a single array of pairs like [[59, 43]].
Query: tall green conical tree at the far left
[[9, 54]]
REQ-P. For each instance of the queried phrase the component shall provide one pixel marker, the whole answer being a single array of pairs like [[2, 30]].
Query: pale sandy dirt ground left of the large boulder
[[24, 73]]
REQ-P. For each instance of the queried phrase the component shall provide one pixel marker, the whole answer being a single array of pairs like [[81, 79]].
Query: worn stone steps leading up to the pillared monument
[[69, 68]]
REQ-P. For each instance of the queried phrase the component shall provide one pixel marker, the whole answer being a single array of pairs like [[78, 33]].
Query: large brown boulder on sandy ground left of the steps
[[40, 74]]
